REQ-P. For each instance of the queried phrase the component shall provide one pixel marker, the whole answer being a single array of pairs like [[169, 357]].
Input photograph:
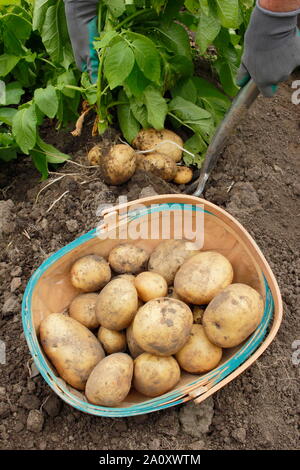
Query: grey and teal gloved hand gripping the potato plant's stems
[[82, 25]]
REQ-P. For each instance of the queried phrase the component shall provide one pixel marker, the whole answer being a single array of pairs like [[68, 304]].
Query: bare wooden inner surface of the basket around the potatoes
[[53, 292]]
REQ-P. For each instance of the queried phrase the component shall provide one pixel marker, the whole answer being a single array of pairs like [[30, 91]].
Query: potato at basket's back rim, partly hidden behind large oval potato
[[168, 256]]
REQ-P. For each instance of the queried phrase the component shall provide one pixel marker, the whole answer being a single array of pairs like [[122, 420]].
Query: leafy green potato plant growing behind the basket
[[146, 78]]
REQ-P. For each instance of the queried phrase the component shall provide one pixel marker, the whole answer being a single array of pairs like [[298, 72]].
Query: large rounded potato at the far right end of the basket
[[233, 315]]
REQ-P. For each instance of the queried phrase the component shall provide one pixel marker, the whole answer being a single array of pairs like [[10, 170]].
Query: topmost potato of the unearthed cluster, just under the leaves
[[149, 139]]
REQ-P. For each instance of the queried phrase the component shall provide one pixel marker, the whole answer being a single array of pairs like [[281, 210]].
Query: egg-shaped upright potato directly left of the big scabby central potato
[[117, 304]]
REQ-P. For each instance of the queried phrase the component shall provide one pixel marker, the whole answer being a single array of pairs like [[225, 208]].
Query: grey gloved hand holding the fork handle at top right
[[272, 49]]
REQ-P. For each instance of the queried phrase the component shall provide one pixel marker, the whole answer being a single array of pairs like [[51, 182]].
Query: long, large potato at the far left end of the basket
[[71, 347]]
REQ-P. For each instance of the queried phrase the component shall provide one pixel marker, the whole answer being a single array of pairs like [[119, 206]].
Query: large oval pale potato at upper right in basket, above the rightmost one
[[202, 277]]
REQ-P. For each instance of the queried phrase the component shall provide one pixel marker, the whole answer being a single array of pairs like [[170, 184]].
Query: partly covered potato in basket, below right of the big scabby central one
[[199, 354]]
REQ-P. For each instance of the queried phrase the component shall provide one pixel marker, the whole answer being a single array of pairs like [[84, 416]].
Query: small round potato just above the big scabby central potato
[[150, 286]]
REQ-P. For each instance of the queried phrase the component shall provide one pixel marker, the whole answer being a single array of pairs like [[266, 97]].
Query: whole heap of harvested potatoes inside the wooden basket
[[141, 319]]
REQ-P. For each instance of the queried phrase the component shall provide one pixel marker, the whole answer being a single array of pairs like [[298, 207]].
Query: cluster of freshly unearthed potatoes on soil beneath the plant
[[121, 161]]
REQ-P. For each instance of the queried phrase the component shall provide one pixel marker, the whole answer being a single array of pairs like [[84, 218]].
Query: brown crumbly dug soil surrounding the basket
[[257, 181]]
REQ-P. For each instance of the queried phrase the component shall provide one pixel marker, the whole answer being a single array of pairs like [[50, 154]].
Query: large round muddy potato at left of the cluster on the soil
[[118, 165]]
